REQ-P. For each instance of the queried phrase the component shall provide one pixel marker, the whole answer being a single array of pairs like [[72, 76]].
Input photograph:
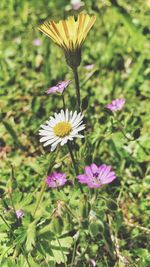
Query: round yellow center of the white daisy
[[62, 129]]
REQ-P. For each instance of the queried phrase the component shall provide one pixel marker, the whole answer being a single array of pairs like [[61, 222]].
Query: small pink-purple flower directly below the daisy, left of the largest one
[[56, 179]]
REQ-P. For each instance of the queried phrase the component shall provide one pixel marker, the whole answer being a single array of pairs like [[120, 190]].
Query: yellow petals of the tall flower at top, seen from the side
[[69, 34]]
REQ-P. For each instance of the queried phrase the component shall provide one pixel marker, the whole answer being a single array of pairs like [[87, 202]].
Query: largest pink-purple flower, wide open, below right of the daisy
[[96, 176]]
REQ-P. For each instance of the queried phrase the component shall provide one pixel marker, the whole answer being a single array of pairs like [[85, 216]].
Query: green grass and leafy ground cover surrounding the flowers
[[118, 45]]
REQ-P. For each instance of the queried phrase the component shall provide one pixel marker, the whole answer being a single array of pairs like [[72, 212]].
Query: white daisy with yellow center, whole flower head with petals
[[61, 128]]
